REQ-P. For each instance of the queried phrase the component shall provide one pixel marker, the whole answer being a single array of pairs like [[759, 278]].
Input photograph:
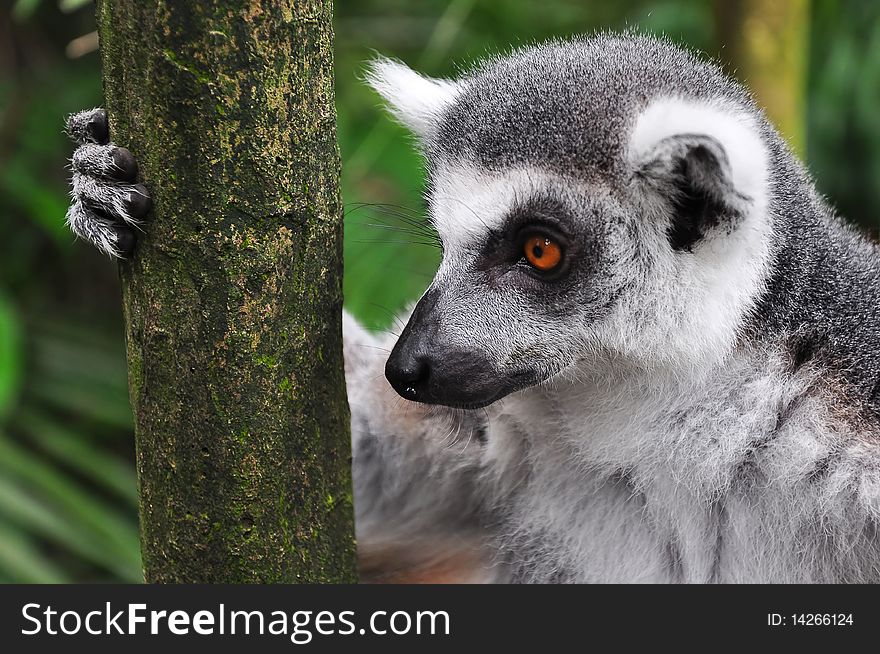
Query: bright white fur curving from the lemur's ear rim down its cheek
[[697, 301]]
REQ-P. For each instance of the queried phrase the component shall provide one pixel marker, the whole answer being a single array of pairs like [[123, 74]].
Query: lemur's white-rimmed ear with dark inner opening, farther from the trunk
[[706, 163]]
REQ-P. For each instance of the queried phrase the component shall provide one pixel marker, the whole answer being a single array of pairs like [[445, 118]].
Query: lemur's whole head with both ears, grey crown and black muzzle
[[604, 197]]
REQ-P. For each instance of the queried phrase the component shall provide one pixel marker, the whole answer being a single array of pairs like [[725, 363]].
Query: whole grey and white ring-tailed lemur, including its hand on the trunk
[[673, 338]]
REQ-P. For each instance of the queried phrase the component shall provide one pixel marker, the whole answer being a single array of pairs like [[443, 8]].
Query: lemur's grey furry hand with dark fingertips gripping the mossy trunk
[[108, 204]]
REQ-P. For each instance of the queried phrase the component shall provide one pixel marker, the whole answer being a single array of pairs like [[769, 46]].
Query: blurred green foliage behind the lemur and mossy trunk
[[67, 484]]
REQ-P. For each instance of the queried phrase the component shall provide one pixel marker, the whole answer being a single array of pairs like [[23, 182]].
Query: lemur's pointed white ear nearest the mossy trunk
[[415, 100]]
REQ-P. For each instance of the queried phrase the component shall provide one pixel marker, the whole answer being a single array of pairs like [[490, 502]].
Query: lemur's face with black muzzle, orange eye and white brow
[[528, 259]]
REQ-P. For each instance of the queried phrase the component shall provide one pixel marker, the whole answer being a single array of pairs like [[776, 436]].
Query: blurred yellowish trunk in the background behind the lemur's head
[[766, 42]]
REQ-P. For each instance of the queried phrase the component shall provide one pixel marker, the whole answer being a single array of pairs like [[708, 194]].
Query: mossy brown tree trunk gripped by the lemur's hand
[[233, 298]]
